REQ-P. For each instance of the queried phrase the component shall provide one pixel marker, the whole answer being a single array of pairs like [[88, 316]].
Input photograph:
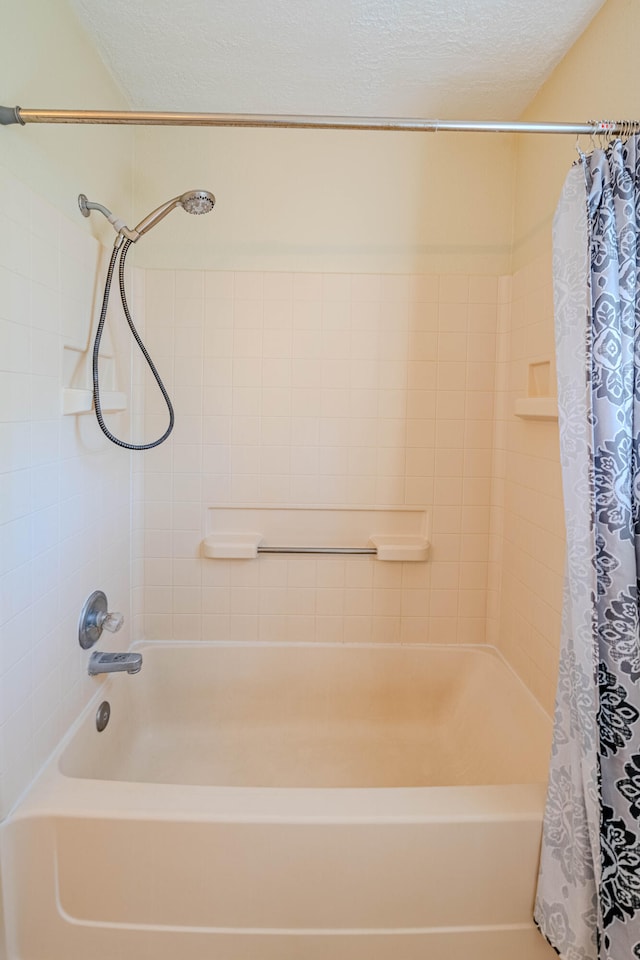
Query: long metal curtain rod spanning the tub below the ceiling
[[19, 115]]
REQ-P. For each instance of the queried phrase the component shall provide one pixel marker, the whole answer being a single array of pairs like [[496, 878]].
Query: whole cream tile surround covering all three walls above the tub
[[305, 389]]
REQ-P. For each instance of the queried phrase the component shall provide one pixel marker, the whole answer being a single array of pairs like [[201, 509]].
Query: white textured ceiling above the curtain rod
[[430, 58]]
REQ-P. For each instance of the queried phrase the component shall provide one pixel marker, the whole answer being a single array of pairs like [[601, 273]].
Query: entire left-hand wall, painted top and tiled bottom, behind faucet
[[64, 493]]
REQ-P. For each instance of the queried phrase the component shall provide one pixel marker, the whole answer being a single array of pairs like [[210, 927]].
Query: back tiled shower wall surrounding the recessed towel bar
[[318, 389]]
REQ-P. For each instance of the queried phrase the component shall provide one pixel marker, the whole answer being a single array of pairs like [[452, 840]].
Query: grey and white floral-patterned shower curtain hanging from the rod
[[588, 900]]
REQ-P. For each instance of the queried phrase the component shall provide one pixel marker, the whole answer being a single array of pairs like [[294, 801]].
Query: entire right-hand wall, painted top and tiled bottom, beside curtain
[[597, 79]]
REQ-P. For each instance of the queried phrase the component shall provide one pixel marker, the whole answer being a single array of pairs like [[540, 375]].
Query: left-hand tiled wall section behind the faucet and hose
[[64, 492]]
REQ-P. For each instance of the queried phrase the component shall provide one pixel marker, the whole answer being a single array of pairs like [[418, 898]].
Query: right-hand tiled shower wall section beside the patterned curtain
[[527, 541]]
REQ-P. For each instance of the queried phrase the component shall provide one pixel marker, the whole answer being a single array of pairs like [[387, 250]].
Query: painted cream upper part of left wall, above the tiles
[[46, 60]]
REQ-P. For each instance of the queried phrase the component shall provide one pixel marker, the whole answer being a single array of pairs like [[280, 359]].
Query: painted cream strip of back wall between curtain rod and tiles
[[329, 201]]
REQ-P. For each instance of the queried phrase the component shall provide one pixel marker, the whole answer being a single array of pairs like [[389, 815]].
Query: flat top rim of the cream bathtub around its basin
[[52, 793]]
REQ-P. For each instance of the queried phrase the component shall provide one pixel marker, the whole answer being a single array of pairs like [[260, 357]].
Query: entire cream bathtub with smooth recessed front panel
[[288, 802]]
